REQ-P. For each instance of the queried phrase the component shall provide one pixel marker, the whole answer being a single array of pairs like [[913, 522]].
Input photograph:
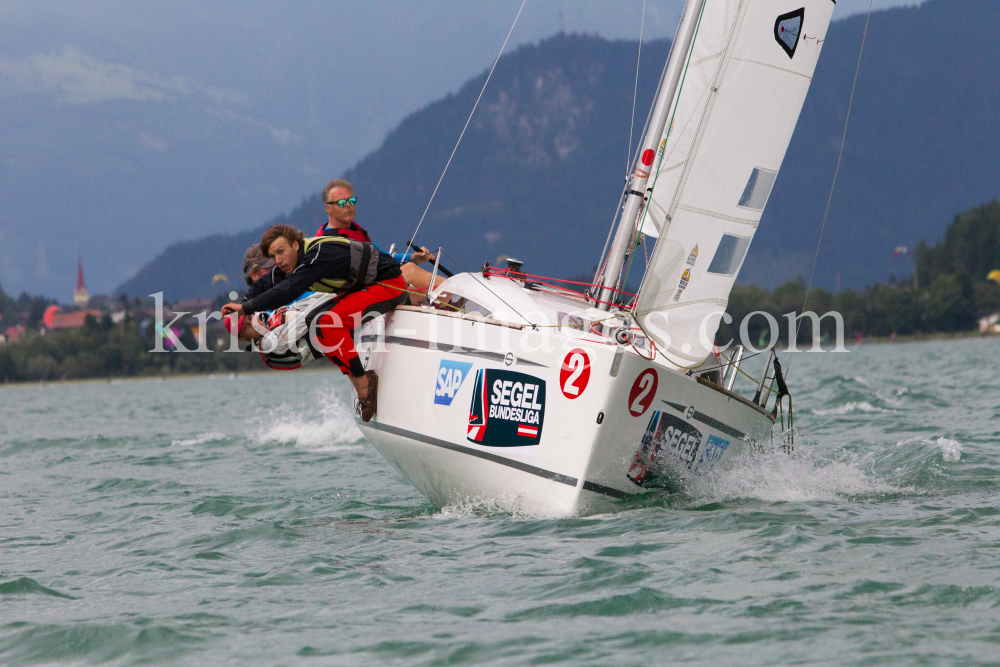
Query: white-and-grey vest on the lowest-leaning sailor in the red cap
[[287, 345]]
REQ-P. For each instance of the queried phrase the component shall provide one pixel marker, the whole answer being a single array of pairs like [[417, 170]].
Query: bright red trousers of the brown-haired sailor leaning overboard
[[335, 328]]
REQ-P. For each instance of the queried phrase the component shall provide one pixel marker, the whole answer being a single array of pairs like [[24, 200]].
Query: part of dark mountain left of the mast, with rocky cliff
[[553, 124]]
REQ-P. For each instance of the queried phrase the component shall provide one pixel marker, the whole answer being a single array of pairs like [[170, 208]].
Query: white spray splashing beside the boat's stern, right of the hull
[[780, 477]]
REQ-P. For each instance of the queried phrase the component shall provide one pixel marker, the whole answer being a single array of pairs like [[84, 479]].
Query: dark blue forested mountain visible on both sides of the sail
[[539, 171]]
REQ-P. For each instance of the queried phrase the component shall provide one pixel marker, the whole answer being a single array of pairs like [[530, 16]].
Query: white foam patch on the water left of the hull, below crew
[[326, 424]]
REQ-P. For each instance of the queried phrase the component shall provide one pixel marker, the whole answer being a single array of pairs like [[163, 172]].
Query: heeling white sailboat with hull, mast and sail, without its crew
[[504, 387]]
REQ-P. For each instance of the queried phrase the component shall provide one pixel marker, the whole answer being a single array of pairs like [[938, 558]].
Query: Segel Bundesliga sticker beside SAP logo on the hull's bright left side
[[507, 409]]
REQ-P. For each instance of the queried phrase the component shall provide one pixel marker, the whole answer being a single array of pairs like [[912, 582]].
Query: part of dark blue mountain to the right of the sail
[[922, 144]]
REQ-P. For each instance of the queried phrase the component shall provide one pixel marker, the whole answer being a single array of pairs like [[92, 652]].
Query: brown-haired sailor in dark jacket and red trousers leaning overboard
[[365, 280]]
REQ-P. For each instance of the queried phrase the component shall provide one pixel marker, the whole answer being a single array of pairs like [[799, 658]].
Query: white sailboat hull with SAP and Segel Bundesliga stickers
[[470, 410]]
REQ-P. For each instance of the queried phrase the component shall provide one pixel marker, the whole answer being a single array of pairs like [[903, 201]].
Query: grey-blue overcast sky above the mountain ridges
[[392, 57]]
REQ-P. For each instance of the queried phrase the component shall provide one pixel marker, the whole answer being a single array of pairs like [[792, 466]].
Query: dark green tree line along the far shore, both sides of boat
[[951, 292]]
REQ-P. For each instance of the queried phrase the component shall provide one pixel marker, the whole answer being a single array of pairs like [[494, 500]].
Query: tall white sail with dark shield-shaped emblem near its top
[[747, 75]]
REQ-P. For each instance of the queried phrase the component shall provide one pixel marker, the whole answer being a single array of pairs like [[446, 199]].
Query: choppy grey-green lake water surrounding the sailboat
[[244, 521]]
